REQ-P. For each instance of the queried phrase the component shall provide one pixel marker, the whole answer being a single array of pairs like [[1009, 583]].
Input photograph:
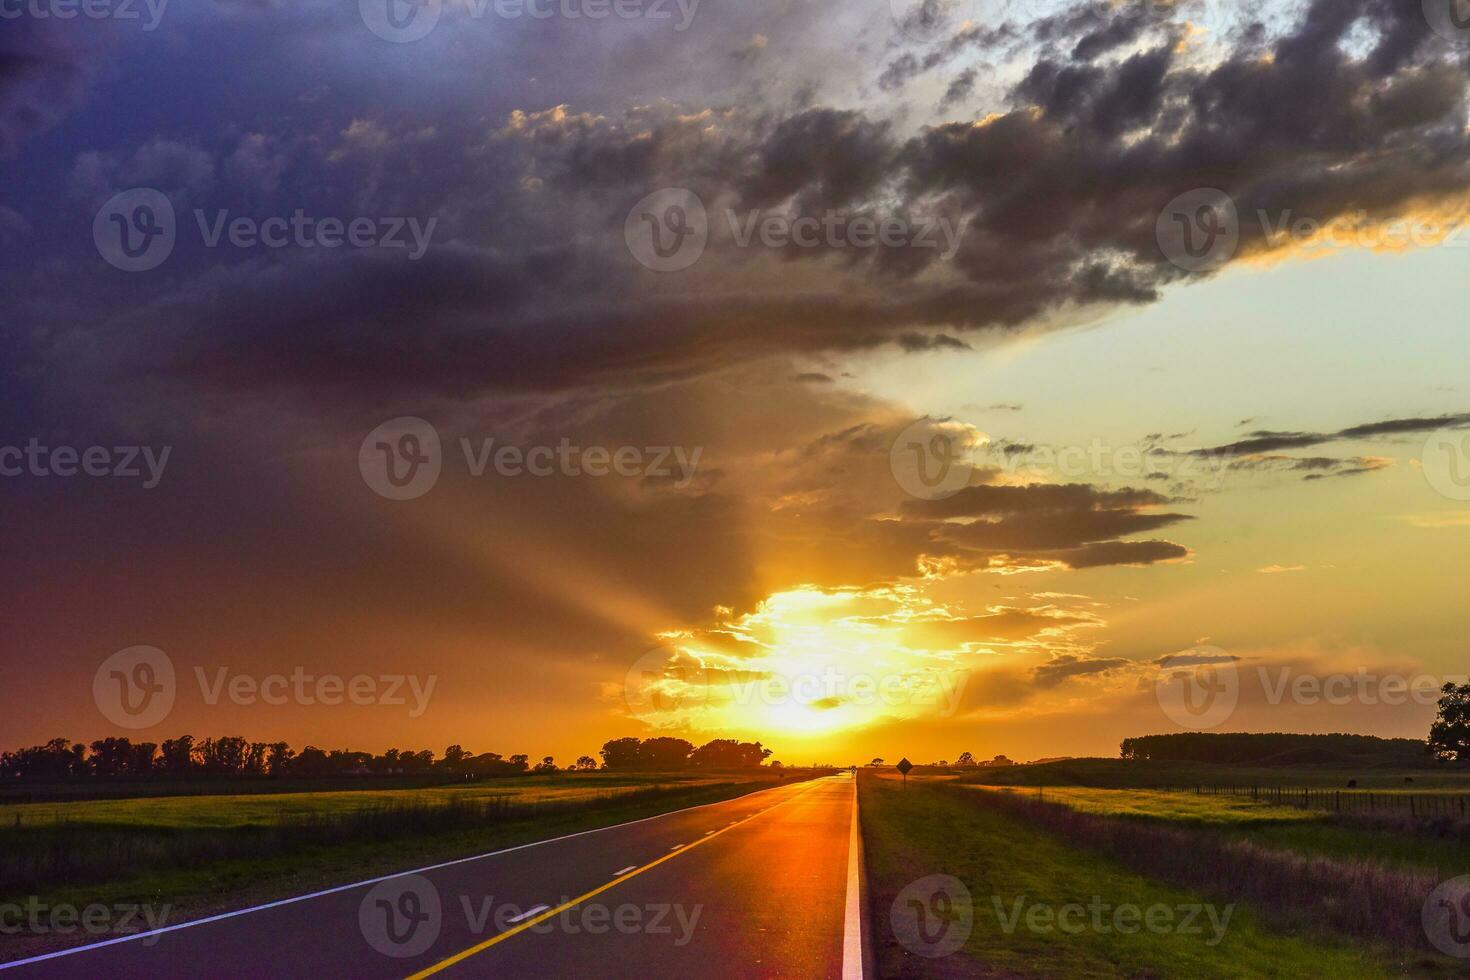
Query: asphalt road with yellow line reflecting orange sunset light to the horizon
[[759, 887]]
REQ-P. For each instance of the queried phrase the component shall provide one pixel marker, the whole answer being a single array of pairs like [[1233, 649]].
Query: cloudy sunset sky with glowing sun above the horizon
[[870, 380]]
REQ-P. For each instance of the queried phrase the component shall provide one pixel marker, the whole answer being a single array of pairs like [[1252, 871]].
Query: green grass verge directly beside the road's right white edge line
[[922, 831]]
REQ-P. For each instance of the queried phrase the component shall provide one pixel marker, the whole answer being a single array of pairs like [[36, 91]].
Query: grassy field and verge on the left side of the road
[[207, 854]]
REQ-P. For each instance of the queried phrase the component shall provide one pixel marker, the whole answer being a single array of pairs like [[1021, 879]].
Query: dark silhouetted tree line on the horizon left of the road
[[234, 756]]
